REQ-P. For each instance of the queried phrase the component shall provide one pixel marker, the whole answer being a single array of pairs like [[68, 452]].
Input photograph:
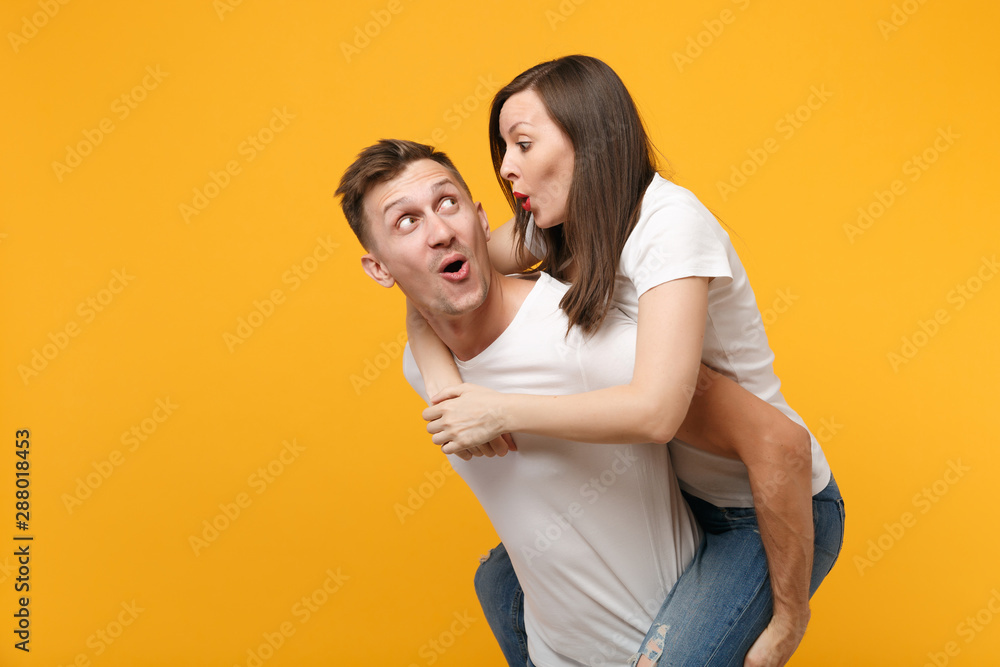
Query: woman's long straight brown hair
[[614, 164]]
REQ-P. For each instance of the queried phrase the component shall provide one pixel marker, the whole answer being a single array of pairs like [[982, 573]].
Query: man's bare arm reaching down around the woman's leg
[[726, 419]]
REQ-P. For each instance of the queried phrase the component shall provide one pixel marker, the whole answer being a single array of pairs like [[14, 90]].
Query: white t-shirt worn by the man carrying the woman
[[598, 534]]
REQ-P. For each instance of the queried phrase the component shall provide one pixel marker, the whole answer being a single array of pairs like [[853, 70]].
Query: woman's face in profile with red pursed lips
[[539, 158]]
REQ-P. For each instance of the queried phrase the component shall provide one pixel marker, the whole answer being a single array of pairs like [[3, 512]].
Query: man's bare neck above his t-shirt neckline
[[469, 334]]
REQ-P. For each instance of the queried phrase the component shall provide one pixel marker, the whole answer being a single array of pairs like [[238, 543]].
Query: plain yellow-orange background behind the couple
[[837, 303]]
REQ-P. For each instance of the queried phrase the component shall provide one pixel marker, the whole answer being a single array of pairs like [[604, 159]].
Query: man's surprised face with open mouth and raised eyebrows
[[429, 237]]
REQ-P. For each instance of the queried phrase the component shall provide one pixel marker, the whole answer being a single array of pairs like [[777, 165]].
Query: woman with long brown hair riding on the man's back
[[577, 168]]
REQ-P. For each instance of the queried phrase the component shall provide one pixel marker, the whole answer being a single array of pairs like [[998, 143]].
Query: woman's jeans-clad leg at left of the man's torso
[[503, 605]]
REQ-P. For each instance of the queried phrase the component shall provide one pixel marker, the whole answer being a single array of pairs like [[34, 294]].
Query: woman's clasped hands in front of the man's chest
[[464, 417]]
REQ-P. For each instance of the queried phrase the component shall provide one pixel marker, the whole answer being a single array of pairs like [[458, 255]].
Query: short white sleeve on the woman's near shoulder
[[676, 237]]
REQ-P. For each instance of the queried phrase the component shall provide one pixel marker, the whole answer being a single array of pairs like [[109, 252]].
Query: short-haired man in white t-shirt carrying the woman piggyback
[[597, 534]]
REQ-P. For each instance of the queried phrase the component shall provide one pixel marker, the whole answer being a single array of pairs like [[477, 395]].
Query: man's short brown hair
[[379, 163]]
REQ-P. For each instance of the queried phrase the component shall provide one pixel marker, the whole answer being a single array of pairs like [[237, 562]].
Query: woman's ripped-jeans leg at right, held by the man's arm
[[722, 602]]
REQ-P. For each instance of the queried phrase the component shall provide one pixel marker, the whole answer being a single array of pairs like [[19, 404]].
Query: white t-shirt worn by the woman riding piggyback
[[677, 237]]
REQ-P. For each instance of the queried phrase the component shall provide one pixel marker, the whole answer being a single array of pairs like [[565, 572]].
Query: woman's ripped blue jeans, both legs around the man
[[715, 611]]
